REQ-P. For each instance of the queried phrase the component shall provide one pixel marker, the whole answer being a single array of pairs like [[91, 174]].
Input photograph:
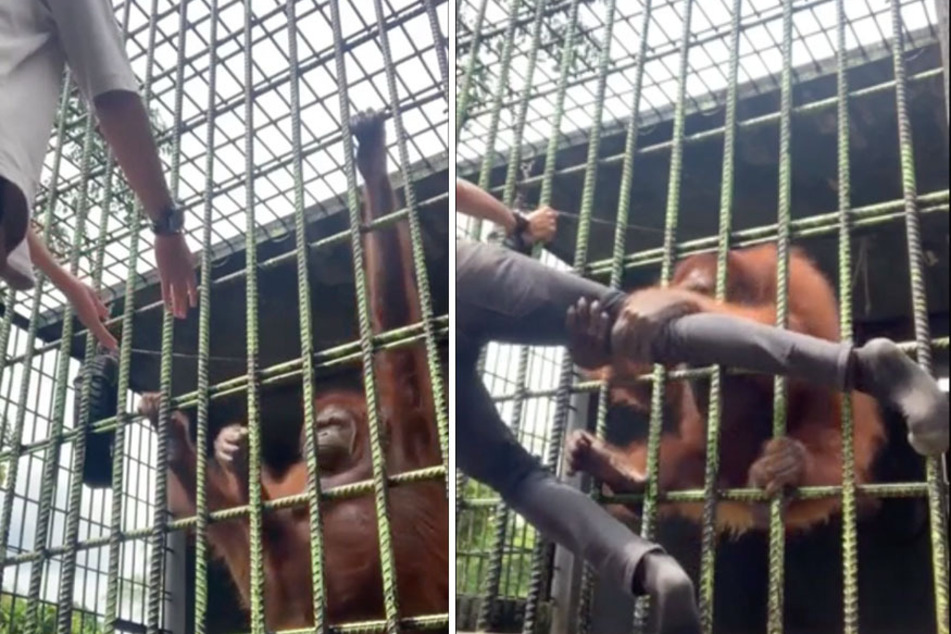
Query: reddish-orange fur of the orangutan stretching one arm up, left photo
[[418, 513]]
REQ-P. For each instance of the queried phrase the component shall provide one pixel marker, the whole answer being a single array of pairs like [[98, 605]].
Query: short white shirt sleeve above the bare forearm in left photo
[[93, 47]]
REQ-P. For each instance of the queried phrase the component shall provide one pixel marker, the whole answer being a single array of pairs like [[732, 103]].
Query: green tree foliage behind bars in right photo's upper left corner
[[554, 30]]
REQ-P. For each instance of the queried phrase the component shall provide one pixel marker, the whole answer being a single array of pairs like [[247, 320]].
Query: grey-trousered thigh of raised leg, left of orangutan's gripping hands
[[505, 296]]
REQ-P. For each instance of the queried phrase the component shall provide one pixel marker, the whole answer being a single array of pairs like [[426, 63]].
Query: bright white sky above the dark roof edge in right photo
[[760, 57]]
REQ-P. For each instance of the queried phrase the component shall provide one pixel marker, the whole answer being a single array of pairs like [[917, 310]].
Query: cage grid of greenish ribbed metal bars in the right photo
[[534, 78]]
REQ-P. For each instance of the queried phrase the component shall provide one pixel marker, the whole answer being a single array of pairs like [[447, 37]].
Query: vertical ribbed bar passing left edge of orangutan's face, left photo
[[306, 335]]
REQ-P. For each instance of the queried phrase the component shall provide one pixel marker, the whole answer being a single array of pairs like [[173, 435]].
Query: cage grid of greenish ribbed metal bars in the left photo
[[242, 97]]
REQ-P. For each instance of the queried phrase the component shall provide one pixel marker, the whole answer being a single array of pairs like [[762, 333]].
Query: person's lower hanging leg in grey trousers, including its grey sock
[[487, 451]]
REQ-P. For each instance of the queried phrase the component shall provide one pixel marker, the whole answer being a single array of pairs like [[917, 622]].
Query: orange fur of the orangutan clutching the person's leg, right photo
[[814, 414]]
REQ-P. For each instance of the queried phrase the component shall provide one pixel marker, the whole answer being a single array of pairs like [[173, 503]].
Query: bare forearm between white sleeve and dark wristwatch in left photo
[[125, 125]]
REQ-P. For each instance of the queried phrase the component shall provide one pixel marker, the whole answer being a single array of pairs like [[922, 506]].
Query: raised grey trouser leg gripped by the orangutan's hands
[[504, 296]]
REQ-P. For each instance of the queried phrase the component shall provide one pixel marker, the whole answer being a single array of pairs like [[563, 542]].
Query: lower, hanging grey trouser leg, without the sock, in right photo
[[487, 451]]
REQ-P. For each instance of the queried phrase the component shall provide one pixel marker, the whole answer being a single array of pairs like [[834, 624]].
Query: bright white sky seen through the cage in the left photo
[[418, 83]]
